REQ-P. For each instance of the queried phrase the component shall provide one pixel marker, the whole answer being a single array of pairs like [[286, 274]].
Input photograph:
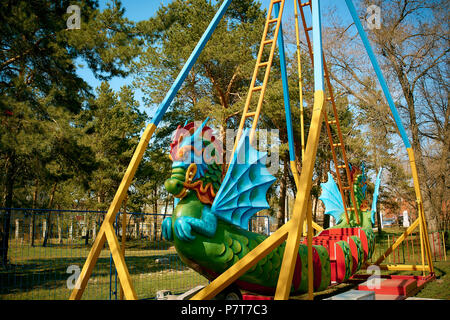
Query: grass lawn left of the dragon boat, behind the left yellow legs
[[39, 273]]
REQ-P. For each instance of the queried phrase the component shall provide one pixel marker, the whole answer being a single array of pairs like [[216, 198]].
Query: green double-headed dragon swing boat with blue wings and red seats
[[209, 225]]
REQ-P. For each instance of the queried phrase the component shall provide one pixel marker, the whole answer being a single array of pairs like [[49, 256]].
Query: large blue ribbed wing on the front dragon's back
[[244, 187]]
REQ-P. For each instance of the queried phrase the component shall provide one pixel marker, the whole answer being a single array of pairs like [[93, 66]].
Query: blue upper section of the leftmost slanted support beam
[[189, 63]]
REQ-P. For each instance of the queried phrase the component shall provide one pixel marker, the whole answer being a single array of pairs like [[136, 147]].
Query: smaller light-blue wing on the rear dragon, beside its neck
[[331, 198]]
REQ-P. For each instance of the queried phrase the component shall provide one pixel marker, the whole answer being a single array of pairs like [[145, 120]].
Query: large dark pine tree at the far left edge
[[38, 82]]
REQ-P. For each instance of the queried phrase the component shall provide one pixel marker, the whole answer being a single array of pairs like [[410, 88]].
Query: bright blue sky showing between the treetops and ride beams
[[138, 10]]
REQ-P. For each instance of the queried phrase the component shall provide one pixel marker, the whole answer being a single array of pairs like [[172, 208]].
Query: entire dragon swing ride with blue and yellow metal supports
[[209, 223]]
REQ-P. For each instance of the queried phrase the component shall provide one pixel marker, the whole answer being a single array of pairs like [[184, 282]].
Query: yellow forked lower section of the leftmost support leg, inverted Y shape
[[106, 232]]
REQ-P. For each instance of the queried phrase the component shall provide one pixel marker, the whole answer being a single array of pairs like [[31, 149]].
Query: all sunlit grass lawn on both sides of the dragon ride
[[41, 273]]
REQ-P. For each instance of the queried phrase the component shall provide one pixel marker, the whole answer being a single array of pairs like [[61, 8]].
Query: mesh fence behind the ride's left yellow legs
[[45, 251]]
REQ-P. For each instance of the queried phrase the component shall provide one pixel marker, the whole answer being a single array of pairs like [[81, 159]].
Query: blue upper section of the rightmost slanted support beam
[[378, 72]]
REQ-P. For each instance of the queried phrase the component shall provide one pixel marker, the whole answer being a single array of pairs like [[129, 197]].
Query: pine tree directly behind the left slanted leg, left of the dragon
[[112, 124]]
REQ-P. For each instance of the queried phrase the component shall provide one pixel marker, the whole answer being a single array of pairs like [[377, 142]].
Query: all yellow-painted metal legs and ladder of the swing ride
[[289, 232]]
